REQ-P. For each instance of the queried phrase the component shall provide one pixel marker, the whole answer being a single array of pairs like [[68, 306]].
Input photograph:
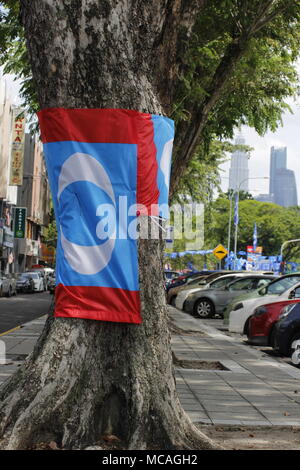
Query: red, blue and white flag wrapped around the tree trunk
[[106, 167]]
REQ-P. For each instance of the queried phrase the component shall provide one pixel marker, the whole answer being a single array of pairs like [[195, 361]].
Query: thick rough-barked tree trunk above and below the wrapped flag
[[87, 378]]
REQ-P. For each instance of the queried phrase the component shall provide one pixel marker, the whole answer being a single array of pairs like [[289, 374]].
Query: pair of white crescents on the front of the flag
[[86, 259]]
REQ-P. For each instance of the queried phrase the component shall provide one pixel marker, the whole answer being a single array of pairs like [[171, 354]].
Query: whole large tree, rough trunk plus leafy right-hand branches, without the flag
[[87, 378]]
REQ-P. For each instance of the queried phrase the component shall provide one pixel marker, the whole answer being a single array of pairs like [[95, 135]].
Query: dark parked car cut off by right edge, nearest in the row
[[287, 330]]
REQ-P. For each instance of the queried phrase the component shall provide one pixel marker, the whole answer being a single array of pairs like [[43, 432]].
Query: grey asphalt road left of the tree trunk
[[19, 309]]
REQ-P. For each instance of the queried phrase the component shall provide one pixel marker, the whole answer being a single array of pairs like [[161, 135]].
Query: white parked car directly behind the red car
[[281, 289]]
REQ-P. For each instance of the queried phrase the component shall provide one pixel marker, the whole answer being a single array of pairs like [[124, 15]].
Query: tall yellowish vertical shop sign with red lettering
[[17, 149]]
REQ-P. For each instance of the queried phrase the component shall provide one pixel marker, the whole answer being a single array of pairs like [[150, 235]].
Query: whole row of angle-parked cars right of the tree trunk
[[262, 306]]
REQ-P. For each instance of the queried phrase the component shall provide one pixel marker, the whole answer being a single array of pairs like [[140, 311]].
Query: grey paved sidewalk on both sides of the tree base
[[253, 390]]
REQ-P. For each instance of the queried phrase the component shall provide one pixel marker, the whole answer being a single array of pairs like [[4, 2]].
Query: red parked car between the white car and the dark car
[[262, 323]]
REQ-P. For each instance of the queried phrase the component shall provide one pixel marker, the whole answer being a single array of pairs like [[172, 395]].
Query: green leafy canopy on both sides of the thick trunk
[[236, 66]]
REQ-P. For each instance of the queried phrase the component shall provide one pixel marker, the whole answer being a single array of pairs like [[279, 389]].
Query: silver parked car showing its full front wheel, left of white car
[[207, 302]]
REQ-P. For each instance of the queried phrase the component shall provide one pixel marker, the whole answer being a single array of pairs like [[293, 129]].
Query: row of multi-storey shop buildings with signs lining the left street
[[23, 184]]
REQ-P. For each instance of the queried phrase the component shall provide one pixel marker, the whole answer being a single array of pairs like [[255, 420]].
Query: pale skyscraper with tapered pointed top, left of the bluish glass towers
[[238, 172]]
